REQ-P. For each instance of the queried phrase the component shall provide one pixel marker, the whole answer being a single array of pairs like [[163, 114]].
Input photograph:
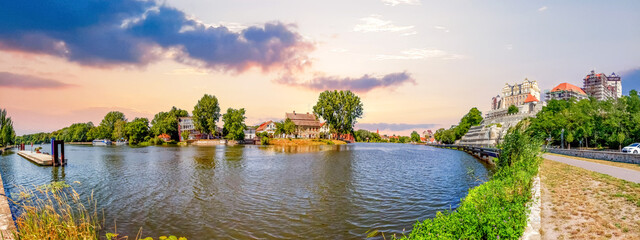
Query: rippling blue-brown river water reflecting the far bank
[[317, 192]]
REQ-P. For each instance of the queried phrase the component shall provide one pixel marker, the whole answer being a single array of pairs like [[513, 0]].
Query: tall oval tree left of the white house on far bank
[[206, 113]]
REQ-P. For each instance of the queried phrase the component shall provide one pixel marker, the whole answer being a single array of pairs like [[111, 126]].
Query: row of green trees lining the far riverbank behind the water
[[340, 109]]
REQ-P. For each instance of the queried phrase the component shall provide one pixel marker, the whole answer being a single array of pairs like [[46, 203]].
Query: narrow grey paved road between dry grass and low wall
[[618, 172]]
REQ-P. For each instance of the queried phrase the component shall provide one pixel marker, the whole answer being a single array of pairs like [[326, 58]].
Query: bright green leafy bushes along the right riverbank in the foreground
[[496, 209]]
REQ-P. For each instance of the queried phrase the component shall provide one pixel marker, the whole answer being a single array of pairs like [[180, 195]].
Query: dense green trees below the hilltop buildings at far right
[[589, 123]]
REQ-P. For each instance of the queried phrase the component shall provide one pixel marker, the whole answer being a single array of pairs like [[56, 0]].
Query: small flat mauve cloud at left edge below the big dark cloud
[[11, 80]]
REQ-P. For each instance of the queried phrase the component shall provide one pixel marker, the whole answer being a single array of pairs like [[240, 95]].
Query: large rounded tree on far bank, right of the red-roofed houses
[[340, 109]]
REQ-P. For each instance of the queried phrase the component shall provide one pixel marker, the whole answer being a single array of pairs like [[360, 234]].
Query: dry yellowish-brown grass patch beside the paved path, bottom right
[[582, 204]]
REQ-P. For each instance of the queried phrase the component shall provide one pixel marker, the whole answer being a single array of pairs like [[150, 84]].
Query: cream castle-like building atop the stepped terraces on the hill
[[516, 94]]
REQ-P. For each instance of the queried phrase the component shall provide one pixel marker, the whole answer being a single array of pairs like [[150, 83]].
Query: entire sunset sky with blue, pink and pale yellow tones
[[415, 64]]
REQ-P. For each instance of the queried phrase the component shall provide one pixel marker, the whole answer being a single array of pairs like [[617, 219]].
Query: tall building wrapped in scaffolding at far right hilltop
[[603, 87]]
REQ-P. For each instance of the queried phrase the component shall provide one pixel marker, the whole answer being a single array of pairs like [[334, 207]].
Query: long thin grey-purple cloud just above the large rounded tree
[[362, 84]]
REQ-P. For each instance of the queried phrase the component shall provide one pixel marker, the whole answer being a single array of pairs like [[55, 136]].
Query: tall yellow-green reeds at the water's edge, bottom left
[[55, 211]]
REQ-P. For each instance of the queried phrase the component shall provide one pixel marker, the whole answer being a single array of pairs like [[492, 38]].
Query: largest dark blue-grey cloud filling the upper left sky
[[130, 32]]
